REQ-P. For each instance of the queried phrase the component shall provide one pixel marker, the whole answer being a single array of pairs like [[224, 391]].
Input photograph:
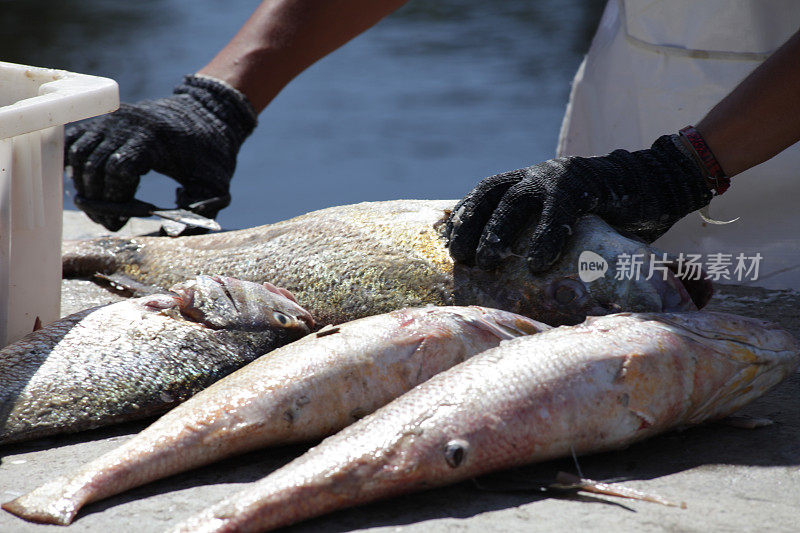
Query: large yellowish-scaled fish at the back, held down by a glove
[[348, 262]]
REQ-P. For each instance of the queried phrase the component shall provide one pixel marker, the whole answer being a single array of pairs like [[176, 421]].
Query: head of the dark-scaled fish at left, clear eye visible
[[222, 302]]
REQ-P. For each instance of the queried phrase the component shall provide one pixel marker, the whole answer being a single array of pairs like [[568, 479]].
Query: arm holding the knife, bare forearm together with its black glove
[[194, 135]]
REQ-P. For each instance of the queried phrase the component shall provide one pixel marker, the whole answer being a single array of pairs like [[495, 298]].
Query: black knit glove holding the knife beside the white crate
[[192, 136]]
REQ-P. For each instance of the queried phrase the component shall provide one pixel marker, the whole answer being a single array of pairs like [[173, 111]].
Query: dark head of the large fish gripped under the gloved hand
[[599, 272]]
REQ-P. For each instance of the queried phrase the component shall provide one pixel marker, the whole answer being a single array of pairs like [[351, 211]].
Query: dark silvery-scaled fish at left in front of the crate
[[139, 357]]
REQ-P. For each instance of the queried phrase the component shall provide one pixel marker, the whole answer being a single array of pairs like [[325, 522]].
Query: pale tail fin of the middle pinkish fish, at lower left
[[53, 503]]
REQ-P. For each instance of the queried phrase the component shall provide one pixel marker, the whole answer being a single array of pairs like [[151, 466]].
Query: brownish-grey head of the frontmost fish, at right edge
[[743, 358]]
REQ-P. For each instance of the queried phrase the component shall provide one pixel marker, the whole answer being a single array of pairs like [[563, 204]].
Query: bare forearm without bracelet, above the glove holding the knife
[[284, 37]]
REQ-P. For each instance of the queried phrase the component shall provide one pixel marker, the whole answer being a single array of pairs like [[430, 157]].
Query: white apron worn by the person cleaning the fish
[[658, 65]]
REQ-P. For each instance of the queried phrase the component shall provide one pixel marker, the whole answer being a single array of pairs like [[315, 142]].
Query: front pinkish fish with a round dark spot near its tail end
[[601, 385]]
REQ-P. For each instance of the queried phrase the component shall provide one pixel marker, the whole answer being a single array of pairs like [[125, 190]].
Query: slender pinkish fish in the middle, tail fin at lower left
[[306, 390]]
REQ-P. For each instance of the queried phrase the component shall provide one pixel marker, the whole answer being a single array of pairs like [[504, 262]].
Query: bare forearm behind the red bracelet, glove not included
[[761, 116]]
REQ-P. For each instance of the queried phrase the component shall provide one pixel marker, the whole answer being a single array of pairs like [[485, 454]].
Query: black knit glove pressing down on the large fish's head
[[642, 192]]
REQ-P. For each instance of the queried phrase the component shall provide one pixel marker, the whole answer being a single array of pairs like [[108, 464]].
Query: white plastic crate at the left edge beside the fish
[[35, 103]]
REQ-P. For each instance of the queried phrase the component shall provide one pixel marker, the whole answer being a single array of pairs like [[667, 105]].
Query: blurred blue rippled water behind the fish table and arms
[[435, 97]]
